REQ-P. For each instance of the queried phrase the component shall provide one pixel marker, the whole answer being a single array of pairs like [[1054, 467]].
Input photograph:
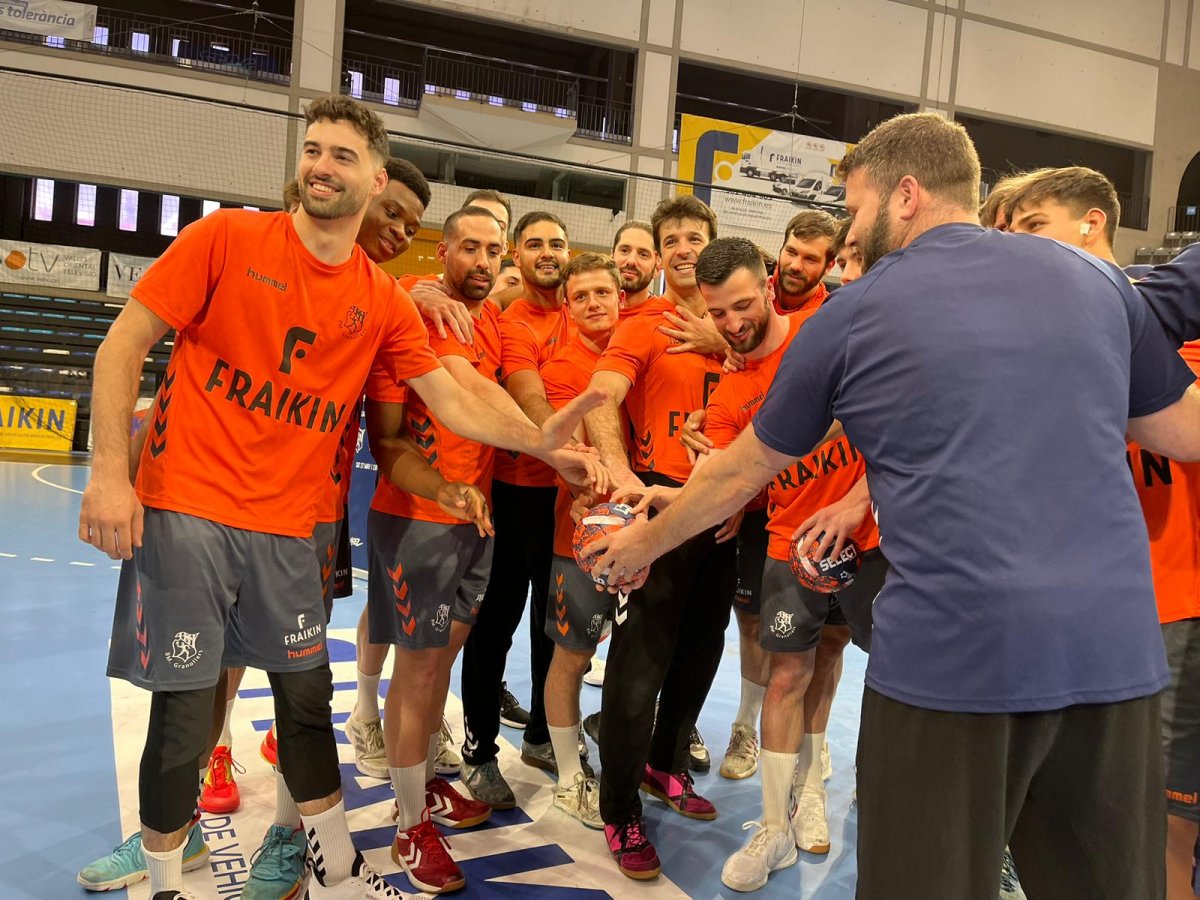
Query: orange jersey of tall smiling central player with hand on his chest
[[665, 388]]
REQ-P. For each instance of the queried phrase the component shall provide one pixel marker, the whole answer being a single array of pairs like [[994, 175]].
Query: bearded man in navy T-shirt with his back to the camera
[[997, 461]]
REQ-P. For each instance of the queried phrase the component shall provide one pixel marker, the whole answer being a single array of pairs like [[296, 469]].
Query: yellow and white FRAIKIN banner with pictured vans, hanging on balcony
[[775, 165]]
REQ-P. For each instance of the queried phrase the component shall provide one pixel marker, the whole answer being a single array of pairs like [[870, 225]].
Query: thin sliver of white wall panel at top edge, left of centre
[[617, 19]]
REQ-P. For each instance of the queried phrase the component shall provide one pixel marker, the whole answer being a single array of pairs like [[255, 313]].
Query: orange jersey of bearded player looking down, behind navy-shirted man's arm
[[807, 485]]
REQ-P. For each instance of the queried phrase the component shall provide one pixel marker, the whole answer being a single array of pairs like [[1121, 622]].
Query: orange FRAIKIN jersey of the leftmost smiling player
[[272, 351]]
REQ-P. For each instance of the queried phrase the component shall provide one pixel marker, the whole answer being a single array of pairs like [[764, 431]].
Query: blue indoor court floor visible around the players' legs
[[59, 770]]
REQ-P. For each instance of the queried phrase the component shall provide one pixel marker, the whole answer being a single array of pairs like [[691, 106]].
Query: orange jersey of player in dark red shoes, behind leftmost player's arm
[[455, 459]]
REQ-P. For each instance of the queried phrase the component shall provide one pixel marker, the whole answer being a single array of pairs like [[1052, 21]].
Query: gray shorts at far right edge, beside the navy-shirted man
[[1181, 718]]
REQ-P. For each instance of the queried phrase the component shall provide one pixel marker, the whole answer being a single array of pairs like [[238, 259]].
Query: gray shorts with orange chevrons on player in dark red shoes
[[421, 577]]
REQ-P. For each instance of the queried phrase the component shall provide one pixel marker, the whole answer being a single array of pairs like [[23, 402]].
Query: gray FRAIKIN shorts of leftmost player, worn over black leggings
[[200, 596]]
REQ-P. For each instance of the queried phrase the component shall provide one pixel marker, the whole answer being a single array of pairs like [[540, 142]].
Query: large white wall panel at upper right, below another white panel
[[1043, 81]]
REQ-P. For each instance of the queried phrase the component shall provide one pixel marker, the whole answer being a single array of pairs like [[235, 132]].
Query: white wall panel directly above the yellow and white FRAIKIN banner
[[885, 52]]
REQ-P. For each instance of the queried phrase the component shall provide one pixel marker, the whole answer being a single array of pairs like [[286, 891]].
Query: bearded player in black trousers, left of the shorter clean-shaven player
[[532, 329]]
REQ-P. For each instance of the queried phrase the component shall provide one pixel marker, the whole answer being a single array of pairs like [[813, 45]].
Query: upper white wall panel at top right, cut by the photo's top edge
[[1131, 26]]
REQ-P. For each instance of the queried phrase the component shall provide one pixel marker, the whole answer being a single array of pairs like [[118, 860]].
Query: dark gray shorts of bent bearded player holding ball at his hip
[[793, 615]]
